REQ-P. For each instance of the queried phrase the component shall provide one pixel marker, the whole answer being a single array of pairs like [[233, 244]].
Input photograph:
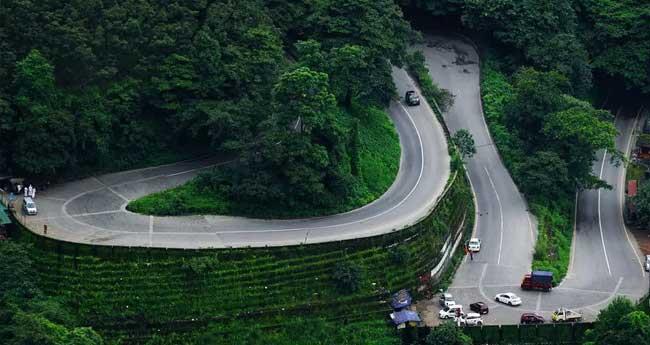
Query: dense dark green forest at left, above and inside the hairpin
[[105, 85]]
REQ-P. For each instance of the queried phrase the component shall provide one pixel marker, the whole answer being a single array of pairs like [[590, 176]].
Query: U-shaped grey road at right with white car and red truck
[[507, 230]]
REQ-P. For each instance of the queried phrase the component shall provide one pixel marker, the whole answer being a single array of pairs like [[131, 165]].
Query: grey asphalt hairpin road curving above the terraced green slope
[[93, 210]]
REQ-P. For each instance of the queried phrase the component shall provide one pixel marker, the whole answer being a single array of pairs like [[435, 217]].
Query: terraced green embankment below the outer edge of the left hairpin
[[135, 293]]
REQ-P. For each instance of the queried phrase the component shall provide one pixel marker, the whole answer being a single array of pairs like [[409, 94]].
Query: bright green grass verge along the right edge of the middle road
[[552, 251]]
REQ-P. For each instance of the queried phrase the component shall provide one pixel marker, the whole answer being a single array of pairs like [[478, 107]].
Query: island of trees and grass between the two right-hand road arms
[[548, 141]]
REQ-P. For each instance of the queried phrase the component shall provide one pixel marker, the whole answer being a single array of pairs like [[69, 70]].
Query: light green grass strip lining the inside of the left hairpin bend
[[379, 155]]
